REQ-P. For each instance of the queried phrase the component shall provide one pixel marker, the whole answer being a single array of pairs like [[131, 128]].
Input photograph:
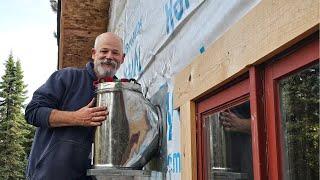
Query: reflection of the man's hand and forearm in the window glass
[[231, 122]]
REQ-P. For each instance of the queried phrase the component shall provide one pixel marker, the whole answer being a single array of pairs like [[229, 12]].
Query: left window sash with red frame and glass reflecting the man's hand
[[225, 121]]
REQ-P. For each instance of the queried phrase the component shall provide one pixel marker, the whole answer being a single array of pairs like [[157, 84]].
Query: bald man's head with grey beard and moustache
[[107, 54]]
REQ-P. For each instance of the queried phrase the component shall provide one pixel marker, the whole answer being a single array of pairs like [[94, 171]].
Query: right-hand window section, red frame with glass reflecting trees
[[292, 114]]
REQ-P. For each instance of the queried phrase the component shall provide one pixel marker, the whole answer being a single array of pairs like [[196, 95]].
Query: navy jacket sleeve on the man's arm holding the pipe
[[46, 98]]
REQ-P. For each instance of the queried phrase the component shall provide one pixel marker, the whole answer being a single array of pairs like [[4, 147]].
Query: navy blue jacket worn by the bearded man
[[63, 152]]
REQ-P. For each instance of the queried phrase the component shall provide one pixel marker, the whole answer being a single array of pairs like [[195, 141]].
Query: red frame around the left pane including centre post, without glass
[[228, 97]]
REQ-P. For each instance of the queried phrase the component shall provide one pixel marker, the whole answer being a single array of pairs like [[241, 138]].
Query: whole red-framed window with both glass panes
[[266, 123]]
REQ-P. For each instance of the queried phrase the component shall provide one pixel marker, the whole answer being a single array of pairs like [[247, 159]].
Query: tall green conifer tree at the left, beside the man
[[13, 128]]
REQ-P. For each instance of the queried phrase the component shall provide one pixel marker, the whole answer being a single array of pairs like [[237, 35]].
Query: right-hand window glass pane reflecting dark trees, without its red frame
[[299, 106]]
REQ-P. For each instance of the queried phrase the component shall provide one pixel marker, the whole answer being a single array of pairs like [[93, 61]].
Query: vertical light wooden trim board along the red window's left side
[[188, 141]]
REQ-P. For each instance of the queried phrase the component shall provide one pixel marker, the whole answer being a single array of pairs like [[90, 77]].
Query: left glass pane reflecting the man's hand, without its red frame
[[227, 136]]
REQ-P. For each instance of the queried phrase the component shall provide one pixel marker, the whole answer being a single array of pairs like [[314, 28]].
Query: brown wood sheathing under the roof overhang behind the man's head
[[80, 22]]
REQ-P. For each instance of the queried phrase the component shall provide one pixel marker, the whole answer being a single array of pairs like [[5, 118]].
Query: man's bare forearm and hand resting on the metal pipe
[[86, 116]]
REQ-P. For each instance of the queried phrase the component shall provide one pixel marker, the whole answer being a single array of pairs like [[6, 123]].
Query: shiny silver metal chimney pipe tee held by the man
[[130, 134]]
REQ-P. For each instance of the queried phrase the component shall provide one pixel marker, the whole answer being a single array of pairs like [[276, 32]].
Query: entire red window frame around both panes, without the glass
[[260, 88]]
